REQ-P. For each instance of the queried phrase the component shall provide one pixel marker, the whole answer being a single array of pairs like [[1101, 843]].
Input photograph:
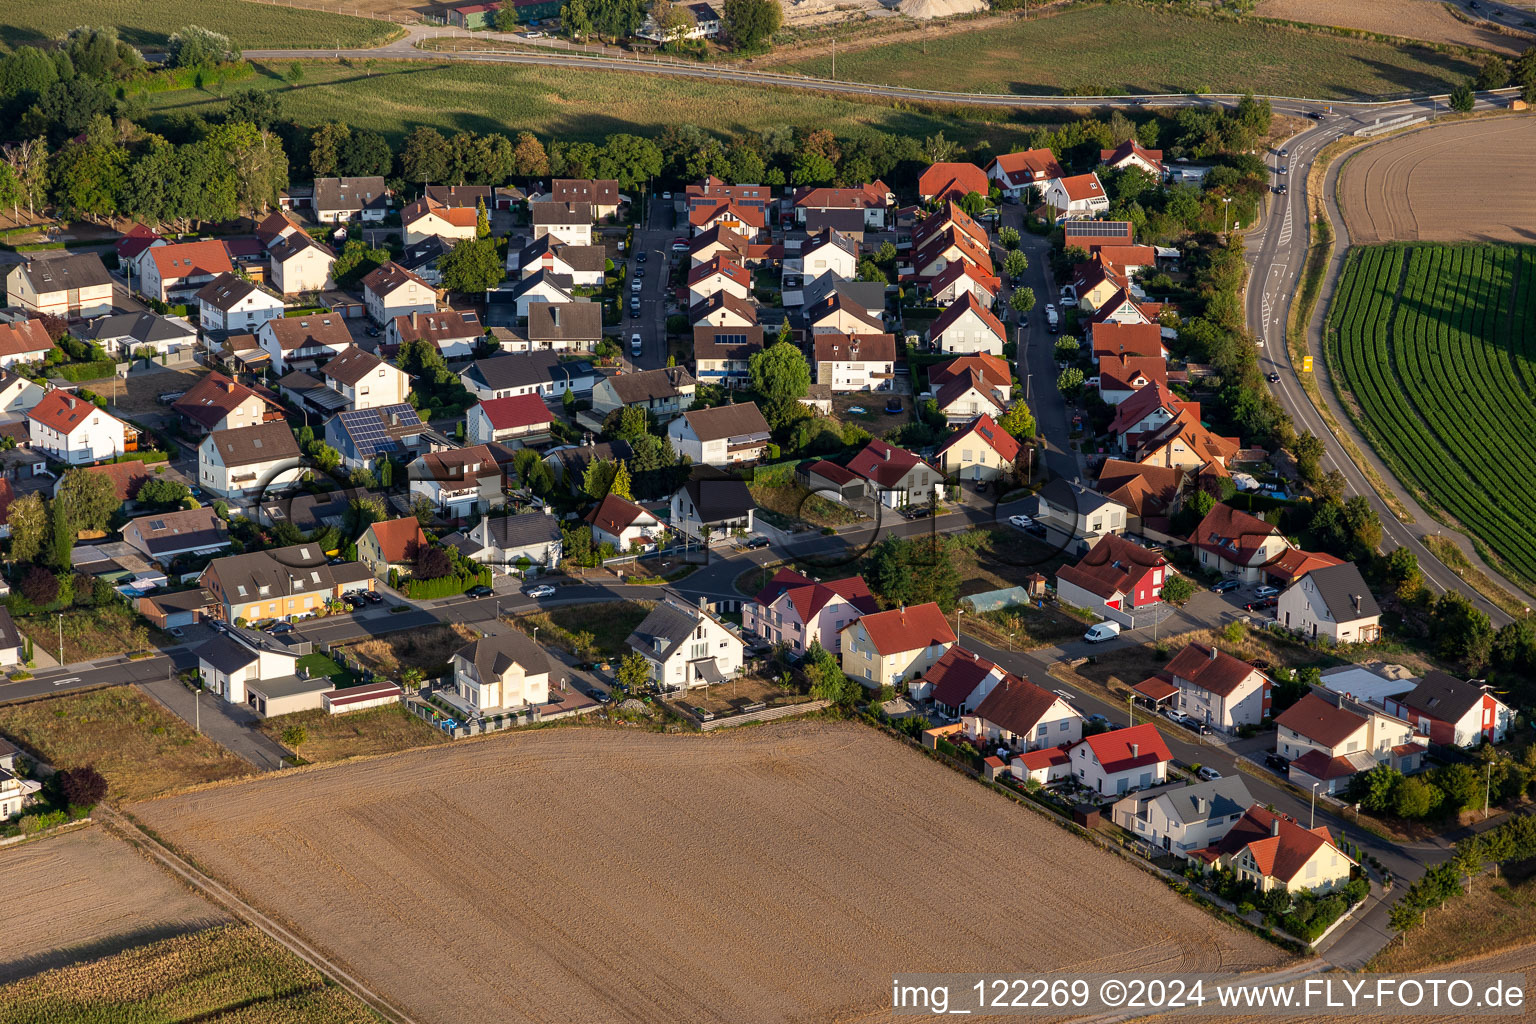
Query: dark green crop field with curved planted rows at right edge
[[1445, 377]]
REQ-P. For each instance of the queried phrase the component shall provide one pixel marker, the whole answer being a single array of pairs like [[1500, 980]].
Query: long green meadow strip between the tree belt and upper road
[[394, 97]]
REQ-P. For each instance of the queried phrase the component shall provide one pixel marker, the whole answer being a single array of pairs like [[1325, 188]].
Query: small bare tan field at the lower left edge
[[88, 894]]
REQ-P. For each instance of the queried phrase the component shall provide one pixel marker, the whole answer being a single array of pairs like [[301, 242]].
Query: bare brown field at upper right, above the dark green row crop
[[1400, 190]]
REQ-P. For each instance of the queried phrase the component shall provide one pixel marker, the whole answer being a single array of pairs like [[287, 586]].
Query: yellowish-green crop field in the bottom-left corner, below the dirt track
[[222, 976]]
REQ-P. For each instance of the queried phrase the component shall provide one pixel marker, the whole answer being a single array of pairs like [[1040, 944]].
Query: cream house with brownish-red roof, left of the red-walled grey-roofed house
[[1331, 738]]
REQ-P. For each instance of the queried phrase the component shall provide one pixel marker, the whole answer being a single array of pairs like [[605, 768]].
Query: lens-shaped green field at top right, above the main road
[[1125, 48]]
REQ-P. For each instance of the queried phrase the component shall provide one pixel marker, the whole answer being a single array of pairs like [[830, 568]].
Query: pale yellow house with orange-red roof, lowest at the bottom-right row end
[[1273, 851]]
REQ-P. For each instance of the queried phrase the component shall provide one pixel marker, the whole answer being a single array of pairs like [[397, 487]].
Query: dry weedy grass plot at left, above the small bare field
[[141, 748]]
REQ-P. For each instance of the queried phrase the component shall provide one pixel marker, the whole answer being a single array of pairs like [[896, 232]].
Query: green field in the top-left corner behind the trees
[[150, 24]]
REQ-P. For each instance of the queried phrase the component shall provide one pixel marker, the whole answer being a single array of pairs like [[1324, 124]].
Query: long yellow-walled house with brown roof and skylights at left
[[279, 583]]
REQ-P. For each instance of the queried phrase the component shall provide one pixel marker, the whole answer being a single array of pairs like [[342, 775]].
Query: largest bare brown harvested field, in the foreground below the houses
[[776, 874]]
